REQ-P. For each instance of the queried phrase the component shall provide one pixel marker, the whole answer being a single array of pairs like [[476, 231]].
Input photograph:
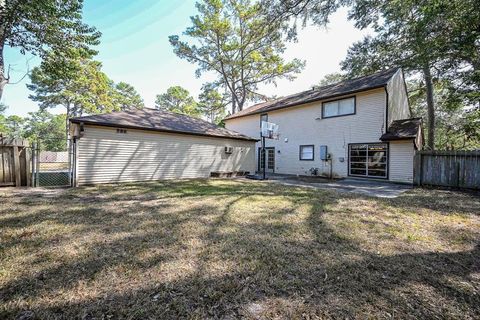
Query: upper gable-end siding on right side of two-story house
[[397, 98]]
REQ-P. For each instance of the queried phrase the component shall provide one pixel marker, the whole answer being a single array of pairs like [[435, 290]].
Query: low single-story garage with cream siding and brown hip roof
[[148, 144]]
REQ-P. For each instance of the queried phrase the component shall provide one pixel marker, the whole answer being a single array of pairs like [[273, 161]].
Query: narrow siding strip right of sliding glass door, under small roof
[[401, 161]]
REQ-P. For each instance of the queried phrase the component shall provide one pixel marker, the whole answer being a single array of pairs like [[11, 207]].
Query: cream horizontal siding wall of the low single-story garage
[[107, 156]]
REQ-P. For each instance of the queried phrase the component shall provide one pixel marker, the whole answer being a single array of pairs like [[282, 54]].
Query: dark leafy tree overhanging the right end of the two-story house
[[438, 41]]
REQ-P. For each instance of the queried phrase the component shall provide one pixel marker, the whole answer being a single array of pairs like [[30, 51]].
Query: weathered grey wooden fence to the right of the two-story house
[[458, 169]]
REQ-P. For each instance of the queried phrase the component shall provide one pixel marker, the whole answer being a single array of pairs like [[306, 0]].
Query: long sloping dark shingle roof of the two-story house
[[376, 80]]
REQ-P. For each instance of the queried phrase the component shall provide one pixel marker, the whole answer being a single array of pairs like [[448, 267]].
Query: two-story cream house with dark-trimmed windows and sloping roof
[[358, 128]]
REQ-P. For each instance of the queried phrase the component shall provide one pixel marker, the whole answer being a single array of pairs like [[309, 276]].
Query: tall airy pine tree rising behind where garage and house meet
[[235, 40]]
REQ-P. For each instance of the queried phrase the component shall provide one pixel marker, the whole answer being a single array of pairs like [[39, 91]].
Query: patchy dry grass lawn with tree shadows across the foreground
[[237, 249]]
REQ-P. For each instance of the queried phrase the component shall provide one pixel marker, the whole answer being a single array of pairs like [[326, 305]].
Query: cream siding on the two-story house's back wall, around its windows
[[303, 125]]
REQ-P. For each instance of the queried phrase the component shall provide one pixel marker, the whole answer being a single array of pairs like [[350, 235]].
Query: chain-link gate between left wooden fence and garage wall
[[53, 162]]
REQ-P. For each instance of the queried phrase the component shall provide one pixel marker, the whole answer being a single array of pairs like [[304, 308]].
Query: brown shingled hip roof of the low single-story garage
[[156, 120]]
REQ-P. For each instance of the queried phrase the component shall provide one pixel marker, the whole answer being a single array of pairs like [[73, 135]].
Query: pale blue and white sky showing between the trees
[[134, 48]]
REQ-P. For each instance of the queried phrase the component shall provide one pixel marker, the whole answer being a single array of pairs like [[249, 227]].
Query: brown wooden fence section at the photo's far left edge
[[15, 160]]
